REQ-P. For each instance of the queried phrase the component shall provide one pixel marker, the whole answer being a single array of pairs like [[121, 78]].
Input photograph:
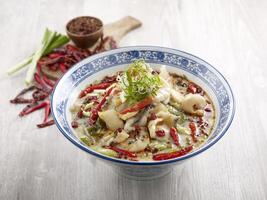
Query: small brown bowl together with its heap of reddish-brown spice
[[84, 31]]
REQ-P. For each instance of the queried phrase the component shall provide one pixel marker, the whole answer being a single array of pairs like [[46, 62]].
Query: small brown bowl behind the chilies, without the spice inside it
[[86, 40]]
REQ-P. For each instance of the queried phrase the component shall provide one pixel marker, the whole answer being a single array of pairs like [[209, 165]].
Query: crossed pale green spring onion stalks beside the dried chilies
[[50, 41]]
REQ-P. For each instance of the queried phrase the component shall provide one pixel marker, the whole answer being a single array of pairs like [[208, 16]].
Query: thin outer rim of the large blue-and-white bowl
[[145, 163]]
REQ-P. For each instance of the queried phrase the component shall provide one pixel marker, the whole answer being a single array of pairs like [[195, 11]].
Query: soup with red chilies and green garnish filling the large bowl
[[143, 115]]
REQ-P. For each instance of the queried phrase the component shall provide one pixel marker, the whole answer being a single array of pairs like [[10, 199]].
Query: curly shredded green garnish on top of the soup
[[138, 82]]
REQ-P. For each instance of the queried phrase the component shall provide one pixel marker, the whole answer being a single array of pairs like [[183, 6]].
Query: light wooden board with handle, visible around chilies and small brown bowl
[[117, 30]]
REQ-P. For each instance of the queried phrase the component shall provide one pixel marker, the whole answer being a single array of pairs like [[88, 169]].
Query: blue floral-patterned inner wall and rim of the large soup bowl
[[157, 55]]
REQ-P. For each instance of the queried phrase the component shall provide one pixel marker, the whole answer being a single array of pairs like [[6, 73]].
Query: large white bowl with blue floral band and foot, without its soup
[[107, 63]]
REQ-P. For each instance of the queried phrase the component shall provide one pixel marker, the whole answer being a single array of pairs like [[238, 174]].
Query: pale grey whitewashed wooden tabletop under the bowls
[[230, 34]]
